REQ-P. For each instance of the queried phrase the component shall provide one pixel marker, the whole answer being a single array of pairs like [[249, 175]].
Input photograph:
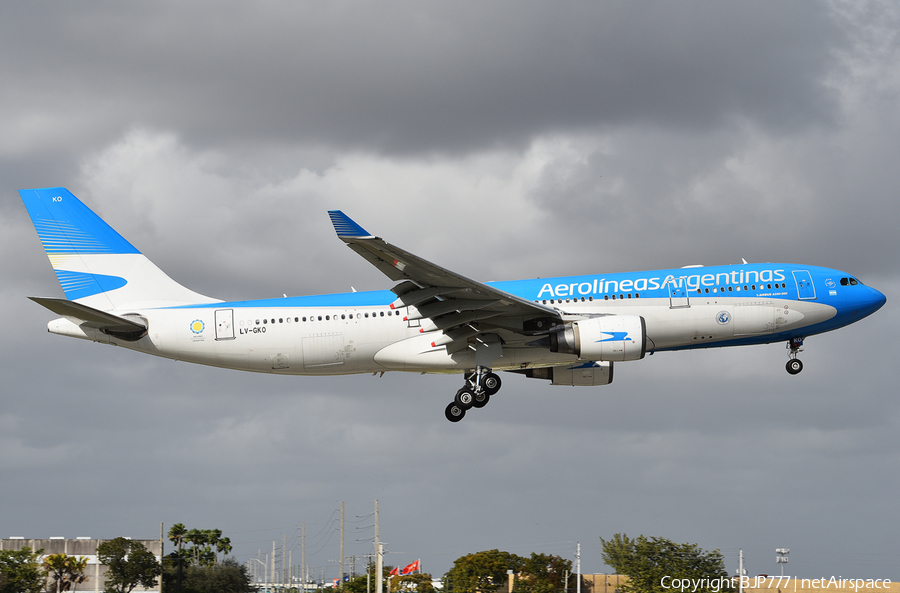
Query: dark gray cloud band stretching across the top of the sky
[[437, 78]]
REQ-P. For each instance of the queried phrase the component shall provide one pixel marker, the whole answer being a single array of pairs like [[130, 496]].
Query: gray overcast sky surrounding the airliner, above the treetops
[[500, 140]]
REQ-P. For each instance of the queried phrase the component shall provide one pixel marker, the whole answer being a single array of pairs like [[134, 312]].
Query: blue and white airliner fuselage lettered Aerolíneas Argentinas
[[359, 332]]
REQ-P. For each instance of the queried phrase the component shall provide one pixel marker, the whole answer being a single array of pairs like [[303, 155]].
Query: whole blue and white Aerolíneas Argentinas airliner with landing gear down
[[568, 330]]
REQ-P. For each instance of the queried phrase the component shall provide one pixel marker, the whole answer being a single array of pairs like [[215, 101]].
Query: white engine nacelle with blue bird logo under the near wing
[[609, 338]]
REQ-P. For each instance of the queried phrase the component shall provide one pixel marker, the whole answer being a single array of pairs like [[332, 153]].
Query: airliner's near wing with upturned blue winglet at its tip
[[452, 302]]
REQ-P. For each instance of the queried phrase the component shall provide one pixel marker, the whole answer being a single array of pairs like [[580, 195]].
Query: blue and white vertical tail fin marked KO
[[94, 264]]
